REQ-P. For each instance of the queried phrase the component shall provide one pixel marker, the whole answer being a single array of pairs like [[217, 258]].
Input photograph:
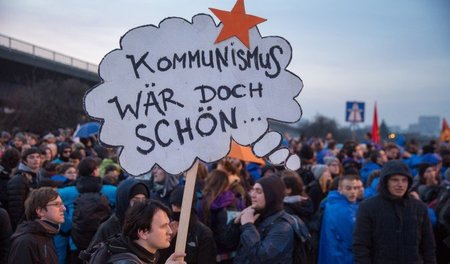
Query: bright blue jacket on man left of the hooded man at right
[[336, 235]]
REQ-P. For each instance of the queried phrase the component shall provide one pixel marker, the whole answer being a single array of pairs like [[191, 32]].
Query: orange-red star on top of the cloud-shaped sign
[[236, 23]]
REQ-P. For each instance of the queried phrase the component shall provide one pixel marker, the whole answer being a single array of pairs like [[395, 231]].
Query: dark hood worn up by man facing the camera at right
[[391, 168]]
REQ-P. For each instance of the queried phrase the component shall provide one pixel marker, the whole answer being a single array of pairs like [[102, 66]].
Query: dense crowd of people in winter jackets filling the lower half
[[67, 200]]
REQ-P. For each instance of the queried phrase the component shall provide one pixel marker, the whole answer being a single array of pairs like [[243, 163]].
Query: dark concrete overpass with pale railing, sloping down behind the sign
[[22, 63]]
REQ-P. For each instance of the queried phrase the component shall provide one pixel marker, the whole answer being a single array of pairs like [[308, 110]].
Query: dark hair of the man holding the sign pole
[[140, 217]]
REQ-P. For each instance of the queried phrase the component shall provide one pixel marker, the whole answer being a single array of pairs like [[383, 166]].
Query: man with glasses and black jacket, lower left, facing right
[[33, 240]]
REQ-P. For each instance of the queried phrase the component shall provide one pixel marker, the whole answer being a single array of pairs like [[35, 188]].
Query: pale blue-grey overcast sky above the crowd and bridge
[[395, 52]]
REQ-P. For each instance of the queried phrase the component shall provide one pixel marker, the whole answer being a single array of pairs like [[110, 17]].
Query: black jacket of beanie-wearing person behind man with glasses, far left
[[18, 189]]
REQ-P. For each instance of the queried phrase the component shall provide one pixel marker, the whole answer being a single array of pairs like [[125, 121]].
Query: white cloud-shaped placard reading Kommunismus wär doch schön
[[170, 95]]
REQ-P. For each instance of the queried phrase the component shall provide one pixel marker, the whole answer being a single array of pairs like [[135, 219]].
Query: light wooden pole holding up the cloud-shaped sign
[[186, 206]]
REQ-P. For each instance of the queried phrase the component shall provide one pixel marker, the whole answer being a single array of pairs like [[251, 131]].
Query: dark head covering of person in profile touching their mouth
[[273, 188]]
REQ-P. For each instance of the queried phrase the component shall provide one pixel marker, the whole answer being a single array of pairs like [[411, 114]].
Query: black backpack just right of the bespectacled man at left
[[91, 209]]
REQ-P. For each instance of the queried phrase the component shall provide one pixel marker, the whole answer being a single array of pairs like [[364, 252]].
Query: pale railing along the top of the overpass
[[22, 46]]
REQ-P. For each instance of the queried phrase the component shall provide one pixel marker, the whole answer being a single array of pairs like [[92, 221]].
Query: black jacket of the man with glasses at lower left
[[33, 243]]
